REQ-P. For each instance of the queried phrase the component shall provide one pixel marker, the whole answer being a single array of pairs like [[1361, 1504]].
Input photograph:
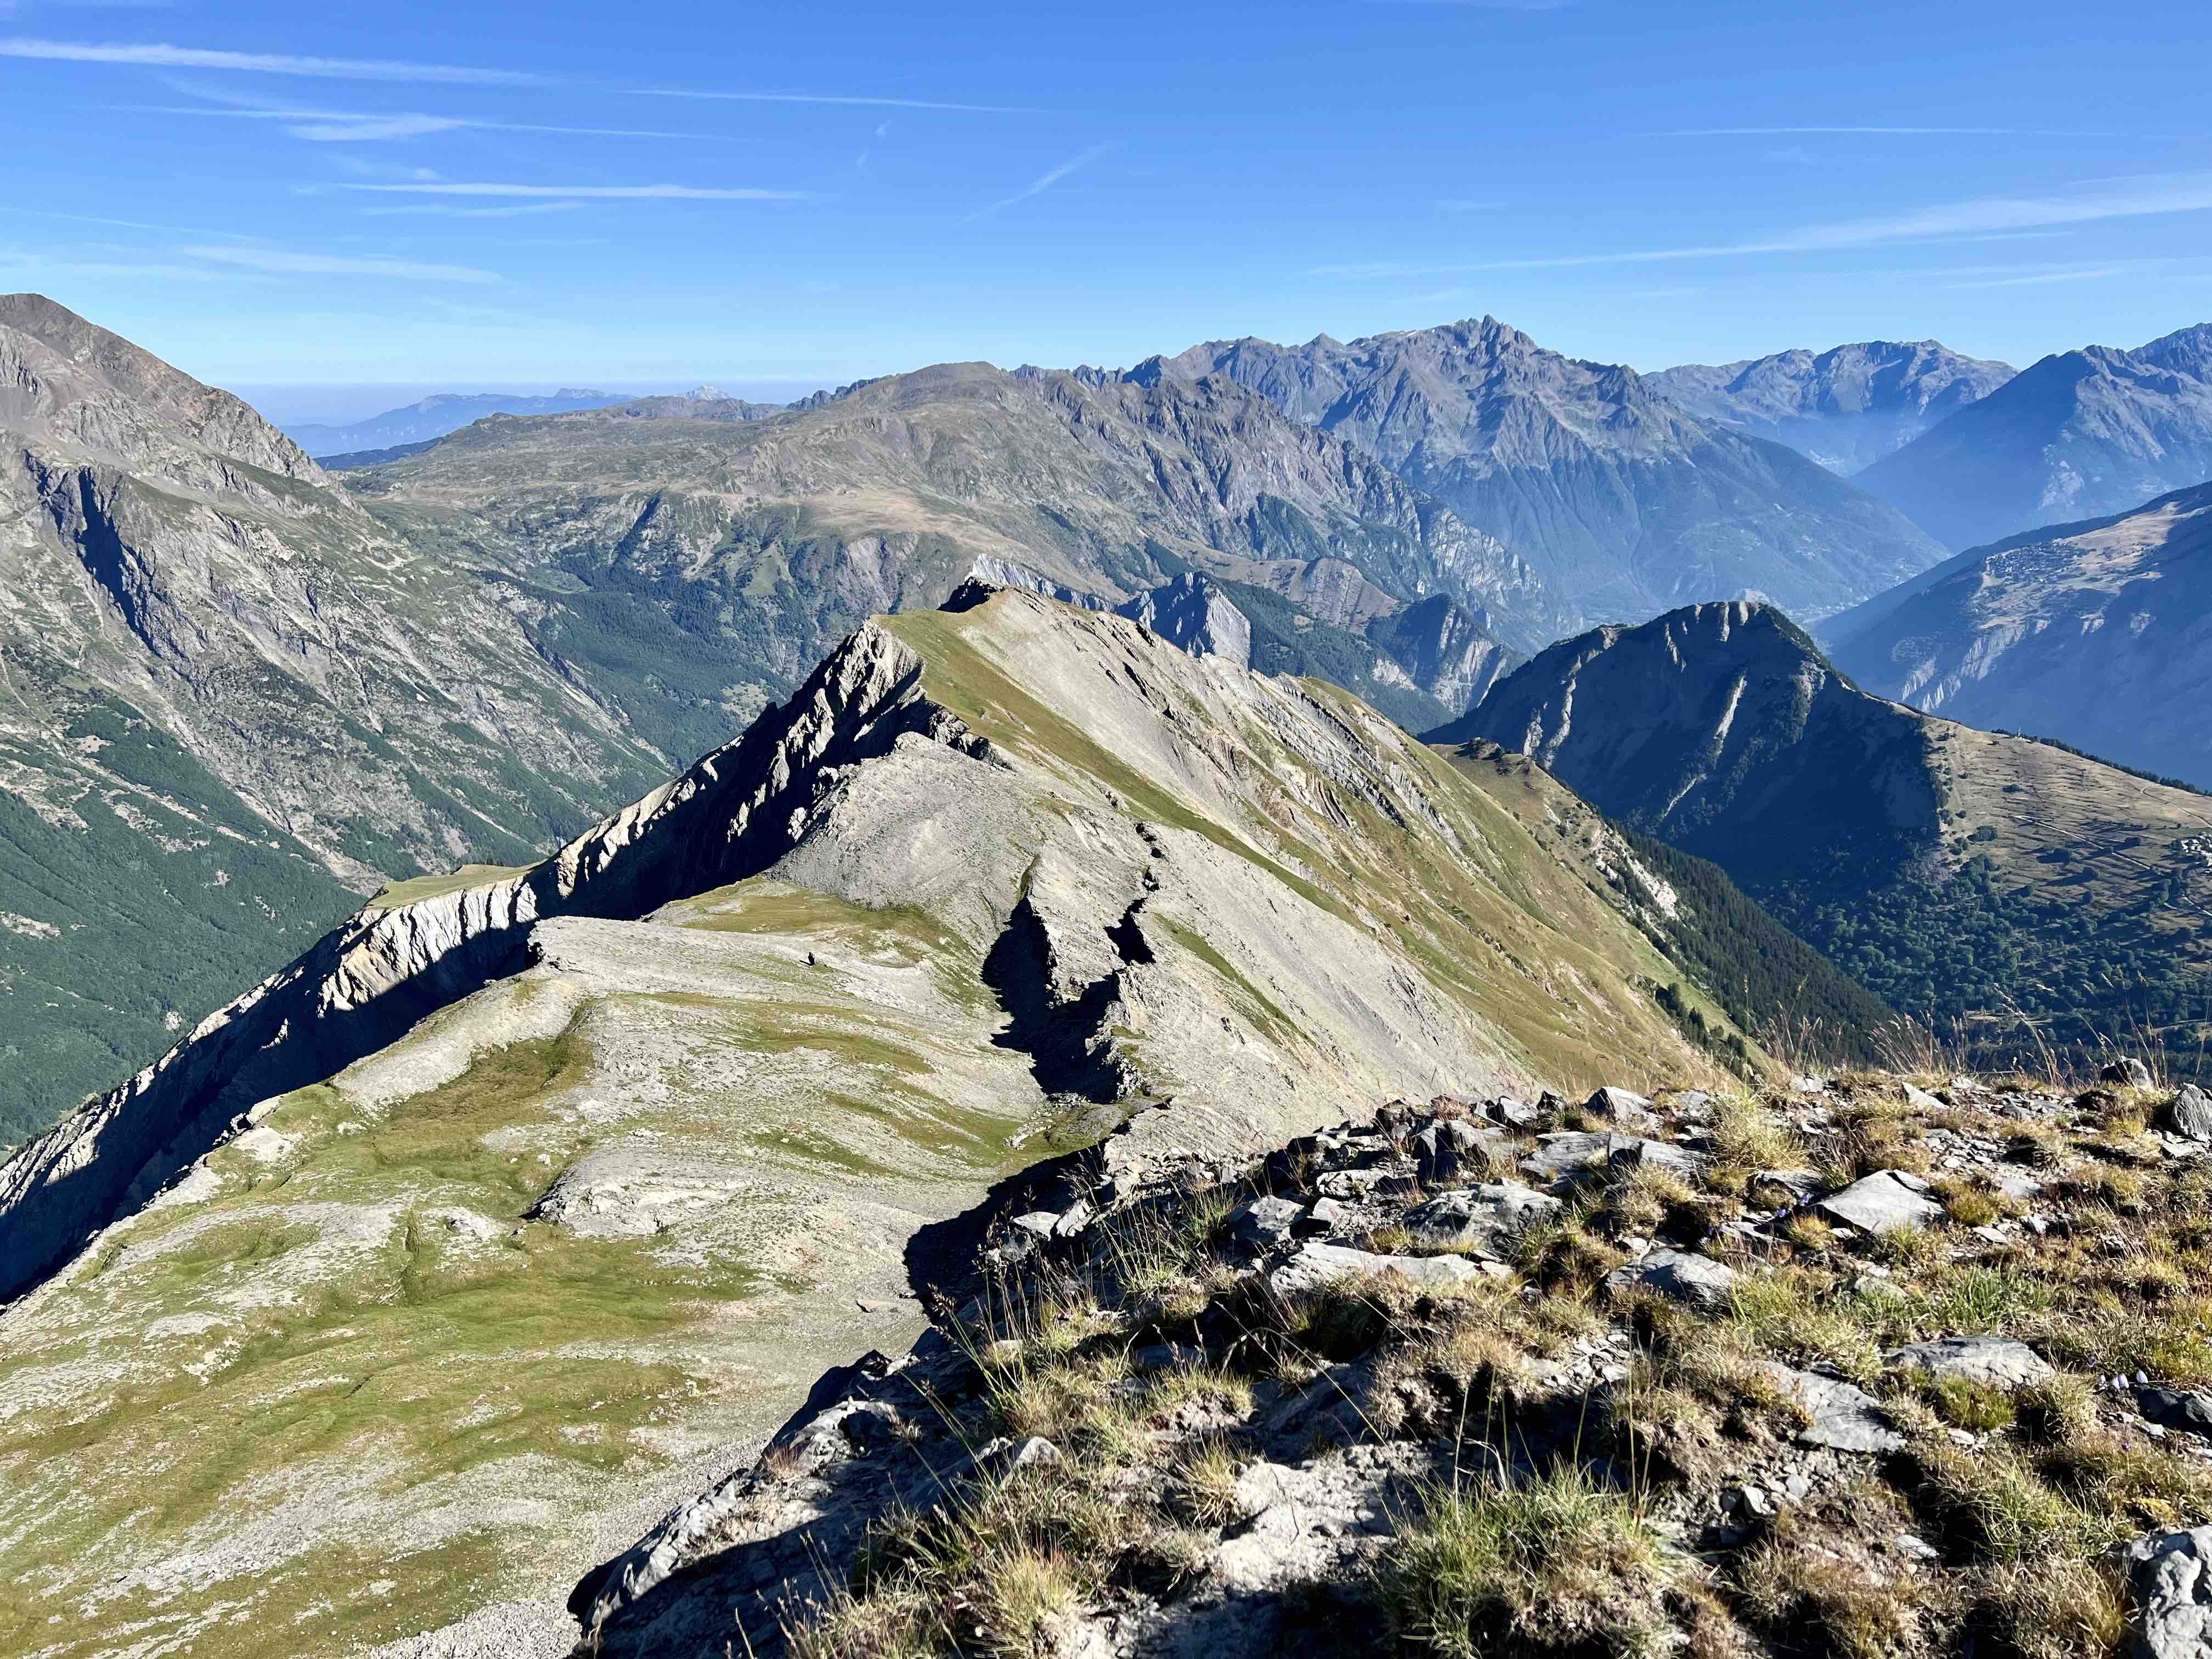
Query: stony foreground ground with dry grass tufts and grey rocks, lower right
[[1872, 1368]]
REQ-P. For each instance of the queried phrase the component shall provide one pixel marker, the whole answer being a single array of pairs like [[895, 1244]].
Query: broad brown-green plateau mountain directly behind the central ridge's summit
[[742, 550]]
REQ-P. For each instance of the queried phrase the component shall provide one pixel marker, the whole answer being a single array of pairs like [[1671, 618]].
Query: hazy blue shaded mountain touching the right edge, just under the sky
[[2074, 437]]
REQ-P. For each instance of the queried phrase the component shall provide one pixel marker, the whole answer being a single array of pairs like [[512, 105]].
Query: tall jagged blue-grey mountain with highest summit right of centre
[[1618, 499]]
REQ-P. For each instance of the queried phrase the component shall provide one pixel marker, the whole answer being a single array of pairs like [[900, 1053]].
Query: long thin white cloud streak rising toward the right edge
[[1985, 218]]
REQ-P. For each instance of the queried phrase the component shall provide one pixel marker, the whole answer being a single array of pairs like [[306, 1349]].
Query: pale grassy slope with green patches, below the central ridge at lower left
[[236, 1379]]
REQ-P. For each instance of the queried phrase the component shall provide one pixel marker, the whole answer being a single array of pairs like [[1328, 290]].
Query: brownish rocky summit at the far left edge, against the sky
[[74, 384]]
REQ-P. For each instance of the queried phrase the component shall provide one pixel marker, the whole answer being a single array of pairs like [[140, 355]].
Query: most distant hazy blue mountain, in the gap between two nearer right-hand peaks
[[1844, 408]]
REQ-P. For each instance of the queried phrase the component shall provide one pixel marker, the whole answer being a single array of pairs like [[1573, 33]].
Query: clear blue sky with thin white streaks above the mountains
[[424, 196]]
